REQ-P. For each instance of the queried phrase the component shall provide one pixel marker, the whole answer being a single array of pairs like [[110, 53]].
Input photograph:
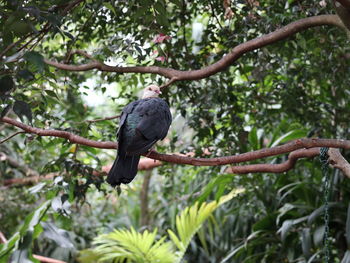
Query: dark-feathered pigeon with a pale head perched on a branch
[[142, 123]]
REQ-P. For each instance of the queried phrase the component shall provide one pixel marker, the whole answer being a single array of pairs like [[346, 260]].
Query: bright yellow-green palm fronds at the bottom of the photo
[[131, 246]]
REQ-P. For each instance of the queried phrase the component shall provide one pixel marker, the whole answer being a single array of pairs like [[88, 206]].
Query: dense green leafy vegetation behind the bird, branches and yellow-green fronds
[[290, 89]]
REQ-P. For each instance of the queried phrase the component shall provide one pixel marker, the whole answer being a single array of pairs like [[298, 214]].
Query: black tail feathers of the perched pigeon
[[124, 170]]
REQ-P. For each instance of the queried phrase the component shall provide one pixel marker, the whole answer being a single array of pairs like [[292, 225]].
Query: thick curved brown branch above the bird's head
[[223, 63]]
